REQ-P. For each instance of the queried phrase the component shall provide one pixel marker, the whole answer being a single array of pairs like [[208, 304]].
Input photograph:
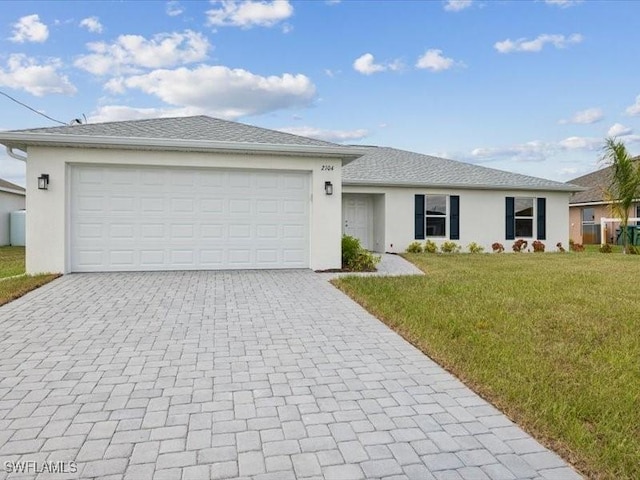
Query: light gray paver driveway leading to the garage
[[264, 375]]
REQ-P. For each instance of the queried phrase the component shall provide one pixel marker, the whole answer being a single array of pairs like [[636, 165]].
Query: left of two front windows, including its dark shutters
[[437, 214]]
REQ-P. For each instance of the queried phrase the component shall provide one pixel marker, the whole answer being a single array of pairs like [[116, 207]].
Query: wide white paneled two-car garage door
[[147, 218]]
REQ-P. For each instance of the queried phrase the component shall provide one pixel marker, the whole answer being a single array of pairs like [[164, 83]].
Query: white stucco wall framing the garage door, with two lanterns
[[48, 222]]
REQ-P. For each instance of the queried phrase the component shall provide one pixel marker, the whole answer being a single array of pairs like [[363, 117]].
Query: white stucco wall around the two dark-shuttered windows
[[482, 216]]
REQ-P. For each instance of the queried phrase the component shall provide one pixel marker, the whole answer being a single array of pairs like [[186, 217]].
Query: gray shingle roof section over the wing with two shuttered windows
[[389, 166]]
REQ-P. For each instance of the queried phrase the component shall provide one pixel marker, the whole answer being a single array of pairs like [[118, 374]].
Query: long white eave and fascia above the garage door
[[23, 140]]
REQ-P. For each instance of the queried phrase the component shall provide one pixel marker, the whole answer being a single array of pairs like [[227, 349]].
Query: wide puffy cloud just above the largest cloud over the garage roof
[[130, 52]]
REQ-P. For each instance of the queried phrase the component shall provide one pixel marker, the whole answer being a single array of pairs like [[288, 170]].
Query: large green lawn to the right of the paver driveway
[[553, 340]]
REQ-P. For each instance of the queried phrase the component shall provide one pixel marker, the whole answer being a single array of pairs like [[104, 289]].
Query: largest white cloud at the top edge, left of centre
[[249, 13]]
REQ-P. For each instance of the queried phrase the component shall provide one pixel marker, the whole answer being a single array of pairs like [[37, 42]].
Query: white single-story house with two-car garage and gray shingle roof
[[202, 193]]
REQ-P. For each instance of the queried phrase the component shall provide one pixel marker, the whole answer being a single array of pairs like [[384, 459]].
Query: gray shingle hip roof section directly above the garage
[[183, 128]]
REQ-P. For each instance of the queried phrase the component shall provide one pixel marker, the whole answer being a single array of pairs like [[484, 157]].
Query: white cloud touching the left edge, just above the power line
[[24, 73]]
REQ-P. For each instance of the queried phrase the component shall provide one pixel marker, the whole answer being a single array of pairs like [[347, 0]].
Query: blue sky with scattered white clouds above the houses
[[532, 87]]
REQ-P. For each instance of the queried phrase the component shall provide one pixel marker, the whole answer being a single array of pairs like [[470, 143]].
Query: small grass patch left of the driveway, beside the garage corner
[[12, 265]]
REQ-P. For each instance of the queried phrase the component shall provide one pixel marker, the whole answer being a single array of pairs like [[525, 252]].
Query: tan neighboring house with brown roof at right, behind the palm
[[588, 207]]
